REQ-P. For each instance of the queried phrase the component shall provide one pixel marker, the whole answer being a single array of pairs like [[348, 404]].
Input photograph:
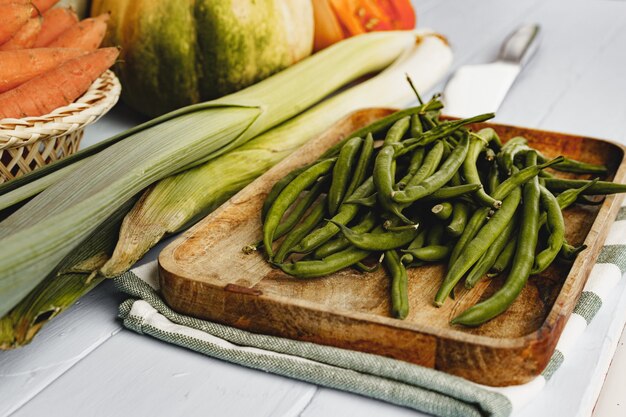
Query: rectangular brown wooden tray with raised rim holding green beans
[[205, 273]]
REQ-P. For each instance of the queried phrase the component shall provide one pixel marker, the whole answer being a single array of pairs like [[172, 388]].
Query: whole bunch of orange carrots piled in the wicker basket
[[48, 58]]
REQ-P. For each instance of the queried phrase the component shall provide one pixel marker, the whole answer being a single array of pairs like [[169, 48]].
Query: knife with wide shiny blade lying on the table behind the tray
[[477, 89]]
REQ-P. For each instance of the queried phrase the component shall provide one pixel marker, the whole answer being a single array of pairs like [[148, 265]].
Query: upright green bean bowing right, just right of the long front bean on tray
[[556, 226]]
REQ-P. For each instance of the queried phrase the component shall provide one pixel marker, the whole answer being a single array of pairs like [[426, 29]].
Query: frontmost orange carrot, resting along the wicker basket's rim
[[57, 87]]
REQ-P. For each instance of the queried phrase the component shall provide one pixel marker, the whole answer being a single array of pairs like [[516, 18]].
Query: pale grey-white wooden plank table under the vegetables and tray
[[85, 363]]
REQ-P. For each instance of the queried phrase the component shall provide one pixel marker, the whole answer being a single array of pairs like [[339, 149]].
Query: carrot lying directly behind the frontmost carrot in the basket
[[20, 66]]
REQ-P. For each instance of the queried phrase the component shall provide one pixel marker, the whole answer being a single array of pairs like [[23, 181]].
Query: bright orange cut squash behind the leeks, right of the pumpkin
[[339, 19]]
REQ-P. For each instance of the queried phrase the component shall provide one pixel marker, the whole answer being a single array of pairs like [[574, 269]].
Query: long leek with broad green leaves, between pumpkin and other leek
[[39, 235]]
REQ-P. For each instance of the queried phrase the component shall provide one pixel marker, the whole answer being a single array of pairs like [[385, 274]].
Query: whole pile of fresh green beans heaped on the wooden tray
[[413, 189]]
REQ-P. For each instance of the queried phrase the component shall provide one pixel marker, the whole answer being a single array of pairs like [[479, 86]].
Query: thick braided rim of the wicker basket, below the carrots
[[101, 96]]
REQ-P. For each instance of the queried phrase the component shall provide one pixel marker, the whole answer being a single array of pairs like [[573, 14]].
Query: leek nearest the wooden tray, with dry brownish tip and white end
[[181, 200]]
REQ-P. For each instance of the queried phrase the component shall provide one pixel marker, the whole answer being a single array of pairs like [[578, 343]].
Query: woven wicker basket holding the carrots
[[32, 142]]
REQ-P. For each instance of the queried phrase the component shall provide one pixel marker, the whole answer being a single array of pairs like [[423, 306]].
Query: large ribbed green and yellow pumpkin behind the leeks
[[179, 52]]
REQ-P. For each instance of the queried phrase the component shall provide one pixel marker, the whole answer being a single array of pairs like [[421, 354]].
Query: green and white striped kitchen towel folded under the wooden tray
[[386, 379]]
